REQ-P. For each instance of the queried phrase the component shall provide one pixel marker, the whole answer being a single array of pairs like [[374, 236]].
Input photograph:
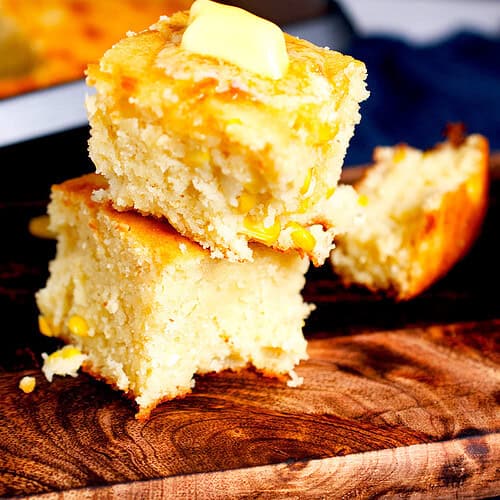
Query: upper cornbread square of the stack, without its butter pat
[[226, 155]]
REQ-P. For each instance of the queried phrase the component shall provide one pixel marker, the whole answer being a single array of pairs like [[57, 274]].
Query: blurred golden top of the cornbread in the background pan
[[66, 35]]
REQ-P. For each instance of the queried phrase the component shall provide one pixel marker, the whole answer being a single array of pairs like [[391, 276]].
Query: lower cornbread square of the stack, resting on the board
[[149, 308]]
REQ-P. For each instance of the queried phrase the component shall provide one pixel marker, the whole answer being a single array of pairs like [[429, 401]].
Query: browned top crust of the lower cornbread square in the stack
[[143, 231]]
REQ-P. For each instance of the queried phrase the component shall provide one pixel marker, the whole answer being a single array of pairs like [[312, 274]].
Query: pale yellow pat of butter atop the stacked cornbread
[[236, 36]]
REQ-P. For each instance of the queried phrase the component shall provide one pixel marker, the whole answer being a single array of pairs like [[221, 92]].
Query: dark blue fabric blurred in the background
[[416, 90]]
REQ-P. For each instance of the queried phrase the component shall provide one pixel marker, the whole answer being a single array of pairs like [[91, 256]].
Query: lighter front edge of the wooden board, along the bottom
[[468, 466]]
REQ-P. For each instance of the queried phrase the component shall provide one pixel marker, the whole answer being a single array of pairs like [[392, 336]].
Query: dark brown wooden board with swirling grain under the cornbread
[[397, 400]]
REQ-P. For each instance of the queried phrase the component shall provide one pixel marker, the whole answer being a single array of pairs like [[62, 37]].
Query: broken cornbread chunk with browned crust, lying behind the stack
[[423, 211]]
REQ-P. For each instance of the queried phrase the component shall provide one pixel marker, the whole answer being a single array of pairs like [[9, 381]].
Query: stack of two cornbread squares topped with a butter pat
[[219, 161]]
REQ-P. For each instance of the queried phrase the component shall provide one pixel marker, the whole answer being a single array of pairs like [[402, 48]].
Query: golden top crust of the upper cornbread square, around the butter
[[144, 62]]
